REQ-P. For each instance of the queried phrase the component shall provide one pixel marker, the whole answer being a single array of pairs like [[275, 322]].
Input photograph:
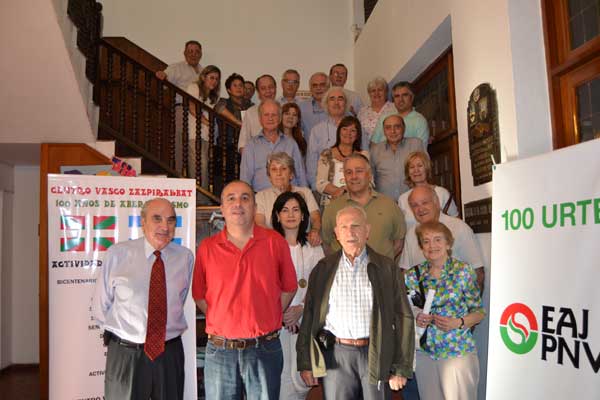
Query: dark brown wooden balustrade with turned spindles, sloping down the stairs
[[151, 118]]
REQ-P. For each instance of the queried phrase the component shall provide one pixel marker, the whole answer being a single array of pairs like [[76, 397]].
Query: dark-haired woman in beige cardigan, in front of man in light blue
[[330, 169]]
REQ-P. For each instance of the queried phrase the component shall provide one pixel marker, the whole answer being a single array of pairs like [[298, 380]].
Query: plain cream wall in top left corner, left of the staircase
[[40, 99]]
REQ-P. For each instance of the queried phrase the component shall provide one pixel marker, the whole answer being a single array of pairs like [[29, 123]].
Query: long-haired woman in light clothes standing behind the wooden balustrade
[[206, 90]]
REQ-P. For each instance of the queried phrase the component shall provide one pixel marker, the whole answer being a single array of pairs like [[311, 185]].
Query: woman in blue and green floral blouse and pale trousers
[[447, 366]]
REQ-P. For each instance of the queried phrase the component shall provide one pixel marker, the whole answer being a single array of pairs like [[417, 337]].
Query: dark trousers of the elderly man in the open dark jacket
[[348, 376]]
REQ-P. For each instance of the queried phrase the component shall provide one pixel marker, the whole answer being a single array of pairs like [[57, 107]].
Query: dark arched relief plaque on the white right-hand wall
[[484, 137]]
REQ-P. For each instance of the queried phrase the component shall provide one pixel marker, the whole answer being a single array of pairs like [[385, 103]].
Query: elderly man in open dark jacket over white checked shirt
[[356, 310]]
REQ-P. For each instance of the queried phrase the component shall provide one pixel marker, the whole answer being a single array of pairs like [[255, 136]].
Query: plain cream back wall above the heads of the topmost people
[[251, 38]]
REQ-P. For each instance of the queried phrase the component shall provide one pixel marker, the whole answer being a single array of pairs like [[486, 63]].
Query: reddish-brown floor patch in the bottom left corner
[[20, 383]]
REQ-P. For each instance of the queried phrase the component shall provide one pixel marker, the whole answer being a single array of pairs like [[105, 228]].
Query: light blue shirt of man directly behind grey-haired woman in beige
[[253, 169]]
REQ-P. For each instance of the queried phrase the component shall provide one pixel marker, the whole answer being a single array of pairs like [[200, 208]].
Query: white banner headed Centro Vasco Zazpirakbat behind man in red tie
[[86, 215]]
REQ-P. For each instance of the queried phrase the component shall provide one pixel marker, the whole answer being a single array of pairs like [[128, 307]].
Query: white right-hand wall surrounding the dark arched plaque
[[494, 41]]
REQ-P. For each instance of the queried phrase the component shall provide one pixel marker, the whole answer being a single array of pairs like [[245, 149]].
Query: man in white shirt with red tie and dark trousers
[[138, 302]]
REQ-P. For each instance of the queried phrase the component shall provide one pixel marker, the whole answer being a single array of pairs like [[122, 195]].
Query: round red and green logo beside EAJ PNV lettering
[[528, 337]]
